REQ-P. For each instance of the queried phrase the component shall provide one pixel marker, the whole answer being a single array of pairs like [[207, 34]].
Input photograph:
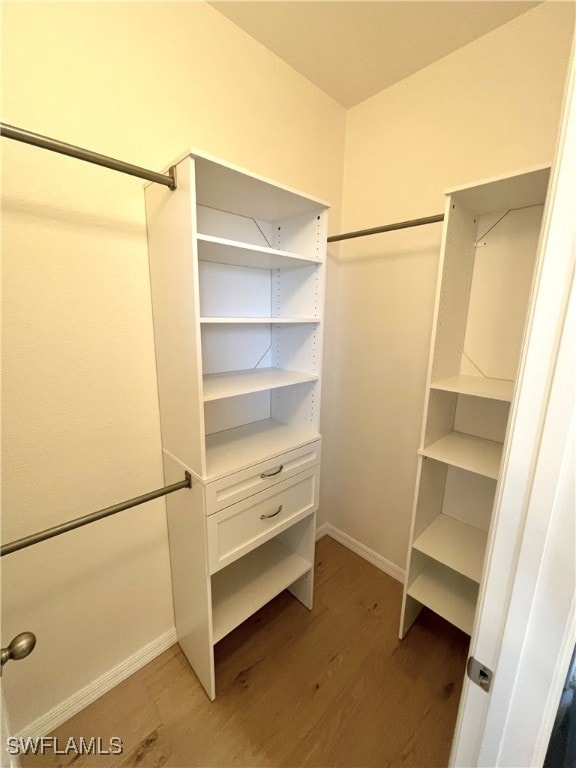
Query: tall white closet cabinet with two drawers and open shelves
[[237, 276]]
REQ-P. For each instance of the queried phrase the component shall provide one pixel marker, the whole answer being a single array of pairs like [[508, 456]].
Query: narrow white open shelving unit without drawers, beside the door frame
[[490, 243]]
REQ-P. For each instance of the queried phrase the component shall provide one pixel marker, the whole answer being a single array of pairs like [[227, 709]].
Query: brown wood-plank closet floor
[[329, 687]]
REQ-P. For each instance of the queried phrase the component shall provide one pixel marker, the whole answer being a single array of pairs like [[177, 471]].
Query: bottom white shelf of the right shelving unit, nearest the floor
[[448, 594]]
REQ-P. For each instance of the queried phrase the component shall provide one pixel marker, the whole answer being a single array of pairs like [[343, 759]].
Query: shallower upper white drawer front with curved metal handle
[[228, 490]]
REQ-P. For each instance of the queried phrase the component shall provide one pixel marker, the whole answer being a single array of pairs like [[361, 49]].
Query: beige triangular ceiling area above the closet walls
[[352, 49]]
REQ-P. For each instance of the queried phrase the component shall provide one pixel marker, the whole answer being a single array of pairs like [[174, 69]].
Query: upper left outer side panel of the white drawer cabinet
[[174, 280]]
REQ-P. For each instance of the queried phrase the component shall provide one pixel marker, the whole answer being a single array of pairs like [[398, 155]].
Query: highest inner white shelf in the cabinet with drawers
[[224, 251]]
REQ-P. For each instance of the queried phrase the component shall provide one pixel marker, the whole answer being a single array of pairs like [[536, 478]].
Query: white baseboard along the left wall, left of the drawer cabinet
[[66, 709]]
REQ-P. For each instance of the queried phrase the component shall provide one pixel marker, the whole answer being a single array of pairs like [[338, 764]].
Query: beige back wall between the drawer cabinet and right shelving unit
[[490, 108]]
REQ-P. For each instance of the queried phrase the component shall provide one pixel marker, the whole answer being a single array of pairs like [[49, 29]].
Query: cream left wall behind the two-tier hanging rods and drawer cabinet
[[141, 82]]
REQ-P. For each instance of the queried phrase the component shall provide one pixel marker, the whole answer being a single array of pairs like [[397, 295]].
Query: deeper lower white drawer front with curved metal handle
[[238, 529]]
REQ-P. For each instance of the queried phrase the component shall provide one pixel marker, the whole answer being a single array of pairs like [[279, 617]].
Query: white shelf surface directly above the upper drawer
[[241, 447]]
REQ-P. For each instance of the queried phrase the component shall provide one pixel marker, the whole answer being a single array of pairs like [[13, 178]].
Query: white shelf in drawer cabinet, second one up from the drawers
[[232, 383]]
